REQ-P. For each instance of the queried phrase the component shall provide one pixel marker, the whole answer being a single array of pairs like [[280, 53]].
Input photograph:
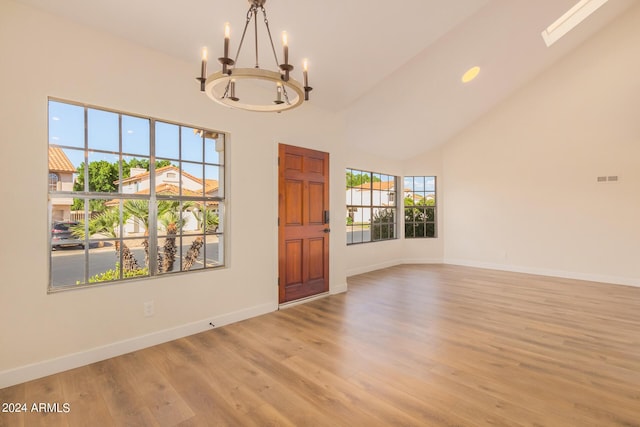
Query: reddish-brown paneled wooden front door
[[303, 218]]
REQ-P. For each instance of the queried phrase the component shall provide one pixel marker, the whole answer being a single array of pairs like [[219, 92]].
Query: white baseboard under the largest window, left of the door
[[53, 366]]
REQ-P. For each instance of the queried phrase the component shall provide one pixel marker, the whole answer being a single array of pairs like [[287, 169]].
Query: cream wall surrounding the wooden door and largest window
[[43, 55]]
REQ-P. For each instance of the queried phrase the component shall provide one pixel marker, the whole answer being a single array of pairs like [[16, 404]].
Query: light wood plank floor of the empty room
[[411, 345]]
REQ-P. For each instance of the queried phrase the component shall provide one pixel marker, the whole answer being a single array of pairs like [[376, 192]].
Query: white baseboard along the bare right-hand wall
[[615, 280]]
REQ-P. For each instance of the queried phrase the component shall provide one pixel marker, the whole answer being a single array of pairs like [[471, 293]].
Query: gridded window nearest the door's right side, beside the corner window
[[371, 206]]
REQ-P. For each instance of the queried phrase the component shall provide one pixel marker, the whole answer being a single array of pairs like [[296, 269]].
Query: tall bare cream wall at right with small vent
[[520, 189]]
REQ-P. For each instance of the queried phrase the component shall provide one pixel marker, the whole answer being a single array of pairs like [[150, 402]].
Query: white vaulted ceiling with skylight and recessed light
[[367, 50]]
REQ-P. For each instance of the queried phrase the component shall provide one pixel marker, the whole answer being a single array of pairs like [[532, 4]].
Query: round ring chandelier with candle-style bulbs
[[270, 91]]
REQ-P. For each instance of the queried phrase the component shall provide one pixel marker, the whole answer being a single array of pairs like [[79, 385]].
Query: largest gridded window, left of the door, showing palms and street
[[134, 196]]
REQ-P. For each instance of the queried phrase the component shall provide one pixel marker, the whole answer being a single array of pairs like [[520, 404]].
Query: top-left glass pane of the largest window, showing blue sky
[[66, 124]]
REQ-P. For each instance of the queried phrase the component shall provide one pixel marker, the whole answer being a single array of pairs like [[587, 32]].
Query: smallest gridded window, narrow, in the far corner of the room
[[420, 206]]
